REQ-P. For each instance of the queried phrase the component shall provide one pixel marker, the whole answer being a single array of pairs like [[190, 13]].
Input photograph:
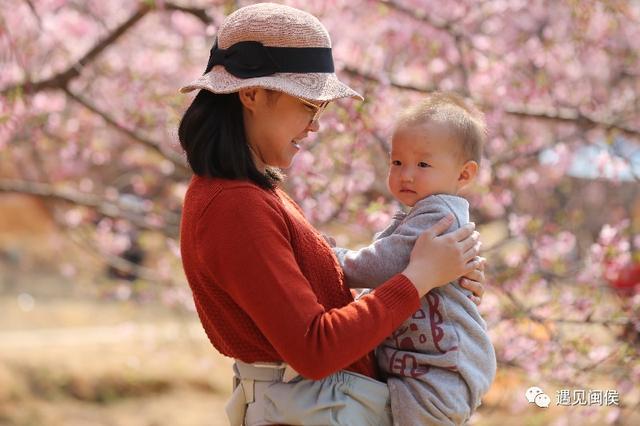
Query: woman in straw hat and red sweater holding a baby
[[265, 283]]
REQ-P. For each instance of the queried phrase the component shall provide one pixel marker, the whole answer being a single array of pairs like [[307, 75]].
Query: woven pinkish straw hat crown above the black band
[[273, 25]]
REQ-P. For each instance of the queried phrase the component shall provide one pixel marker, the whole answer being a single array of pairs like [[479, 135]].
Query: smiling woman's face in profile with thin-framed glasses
[[275, 123]]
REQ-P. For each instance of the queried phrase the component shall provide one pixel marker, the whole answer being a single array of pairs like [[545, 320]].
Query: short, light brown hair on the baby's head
[[464, 119]]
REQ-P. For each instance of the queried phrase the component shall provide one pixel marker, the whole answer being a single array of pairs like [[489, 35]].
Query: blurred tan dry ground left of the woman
[[119, 371]]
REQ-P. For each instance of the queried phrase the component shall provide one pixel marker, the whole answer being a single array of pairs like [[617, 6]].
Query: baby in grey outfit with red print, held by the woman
[[440, 362]]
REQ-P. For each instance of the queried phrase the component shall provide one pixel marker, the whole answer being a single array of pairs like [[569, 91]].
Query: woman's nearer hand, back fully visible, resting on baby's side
[[437, 259]]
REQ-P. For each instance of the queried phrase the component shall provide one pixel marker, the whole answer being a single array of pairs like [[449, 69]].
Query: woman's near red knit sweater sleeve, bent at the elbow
[[244, 243]]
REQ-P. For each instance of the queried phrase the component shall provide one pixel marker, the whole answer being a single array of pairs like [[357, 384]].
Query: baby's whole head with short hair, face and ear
[[436, 148]]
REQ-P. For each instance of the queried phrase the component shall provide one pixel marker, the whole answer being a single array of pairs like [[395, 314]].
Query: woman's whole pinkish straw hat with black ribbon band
[[275, 47]]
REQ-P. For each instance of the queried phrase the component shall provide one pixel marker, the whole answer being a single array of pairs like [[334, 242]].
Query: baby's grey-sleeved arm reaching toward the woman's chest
[[389, 255]]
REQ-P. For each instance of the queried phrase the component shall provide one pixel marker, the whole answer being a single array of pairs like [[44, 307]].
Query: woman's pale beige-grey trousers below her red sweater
[[261, 397]]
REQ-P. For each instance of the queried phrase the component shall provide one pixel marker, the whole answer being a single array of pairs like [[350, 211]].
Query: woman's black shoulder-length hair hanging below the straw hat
[[212, 135]]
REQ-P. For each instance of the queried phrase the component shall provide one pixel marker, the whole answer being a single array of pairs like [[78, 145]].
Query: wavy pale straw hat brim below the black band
[[312, 86]]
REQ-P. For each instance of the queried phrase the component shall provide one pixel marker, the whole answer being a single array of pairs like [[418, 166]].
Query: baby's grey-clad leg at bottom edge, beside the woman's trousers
[[438, 398]]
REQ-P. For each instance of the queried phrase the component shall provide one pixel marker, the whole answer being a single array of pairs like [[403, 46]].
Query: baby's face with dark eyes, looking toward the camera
[[424, 161]]
